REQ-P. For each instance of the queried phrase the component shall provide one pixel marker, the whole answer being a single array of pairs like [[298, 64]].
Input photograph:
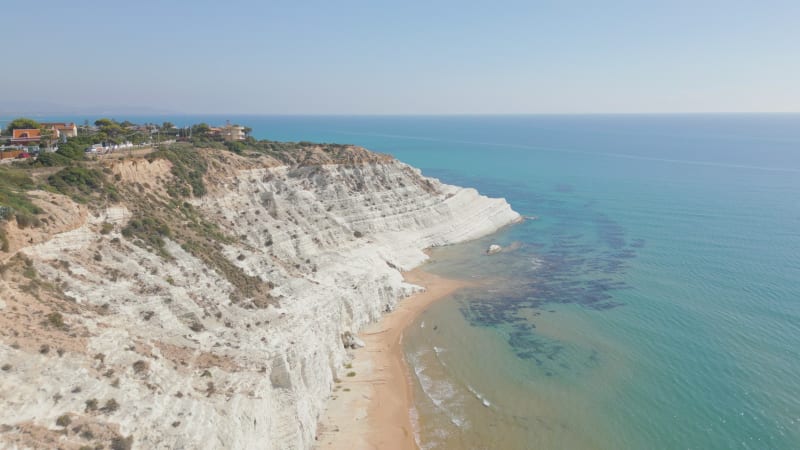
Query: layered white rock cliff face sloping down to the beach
[[234, 344]]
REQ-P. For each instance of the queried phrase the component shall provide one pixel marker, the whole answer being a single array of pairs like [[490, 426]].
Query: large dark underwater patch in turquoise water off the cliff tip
[[583, 255]]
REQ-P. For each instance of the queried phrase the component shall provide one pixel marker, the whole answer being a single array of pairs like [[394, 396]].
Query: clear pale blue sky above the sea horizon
[[430, 57]]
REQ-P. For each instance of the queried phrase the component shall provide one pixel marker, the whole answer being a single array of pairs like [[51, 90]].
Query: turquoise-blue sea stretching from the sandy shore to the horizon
[[650, 300]]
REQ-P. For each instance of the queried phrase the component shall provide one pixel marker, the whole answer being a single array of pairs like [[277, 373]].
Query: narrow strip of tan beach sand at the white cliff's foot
[[370, 408]]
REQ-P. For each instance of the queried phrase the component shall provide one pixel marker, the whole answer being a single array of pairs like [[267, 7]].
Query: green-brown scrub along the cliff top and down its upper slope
[[157, 218]]
